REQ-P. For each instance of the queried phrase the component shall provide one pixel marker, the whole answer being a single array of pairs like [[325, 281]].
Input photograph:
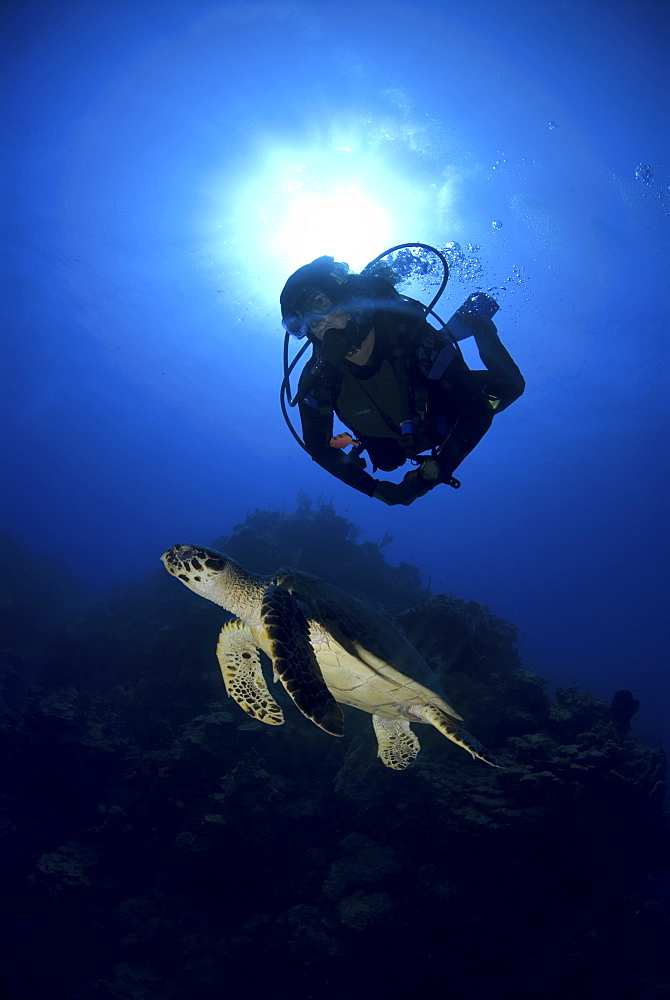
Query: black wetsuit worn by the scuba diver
[[414, 372]]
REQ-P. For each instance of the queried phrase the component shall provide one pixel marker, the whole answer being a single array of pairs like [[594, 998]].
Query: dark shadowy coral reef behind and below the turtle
[[160, 844]]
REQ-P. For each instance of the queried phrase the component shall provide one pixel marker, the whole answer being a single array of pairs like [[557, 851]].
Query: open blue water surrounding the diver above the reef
[[170, 164]]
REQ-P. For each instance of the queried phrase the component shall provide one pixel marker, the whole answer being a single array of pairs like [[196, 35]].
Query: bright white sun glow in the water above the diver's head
[[297, 204]]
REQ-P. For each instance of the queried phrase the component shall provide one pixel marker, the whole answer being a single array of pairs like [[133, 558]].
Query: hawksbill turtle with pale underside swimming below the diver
[[327, 648]]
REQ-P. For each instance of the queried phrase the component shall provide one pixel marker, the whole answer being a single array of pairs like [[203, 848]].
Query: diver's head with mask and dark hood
[[316, 298]]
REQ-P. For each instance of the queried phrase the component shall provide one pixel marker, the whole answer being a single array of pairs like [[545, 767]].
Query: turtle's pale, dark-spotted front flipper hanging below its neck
[[241, 668]]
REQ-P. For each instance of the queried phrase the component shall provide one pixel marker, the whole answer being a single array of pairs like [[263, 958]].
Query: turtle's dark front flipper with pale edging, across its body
[[294, 661]]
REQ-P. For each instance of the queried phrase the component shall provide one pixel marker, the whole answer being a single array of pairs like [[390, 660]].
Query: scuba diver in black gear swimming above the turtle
[[400, 385]]
